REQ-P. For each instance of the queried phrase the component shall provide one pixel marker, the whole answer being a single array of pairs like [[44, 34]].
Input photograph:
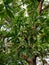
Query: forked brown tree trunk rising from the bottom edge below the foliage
[[29, 60]]
